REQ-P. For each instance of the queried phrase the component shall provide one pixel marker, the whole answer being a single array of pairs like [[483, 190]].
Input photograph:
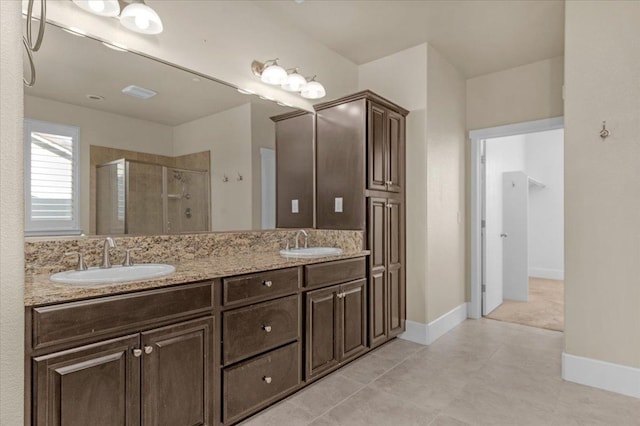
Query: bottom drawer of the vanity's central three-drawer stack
[[255, 383]]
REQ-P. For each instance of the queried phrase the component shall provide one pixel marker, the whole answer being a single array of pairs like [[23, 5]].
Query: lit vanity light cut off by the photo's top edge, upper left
[[135, 16]]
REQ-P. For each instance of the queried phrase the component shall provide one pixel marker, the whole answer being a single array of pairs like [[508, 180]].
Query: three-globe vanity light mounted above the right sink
[[272, 73]]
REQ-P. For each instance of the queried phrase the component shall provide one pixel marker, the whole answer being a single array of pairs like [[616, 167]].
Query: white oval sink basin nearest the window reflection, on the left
[[115, 274]]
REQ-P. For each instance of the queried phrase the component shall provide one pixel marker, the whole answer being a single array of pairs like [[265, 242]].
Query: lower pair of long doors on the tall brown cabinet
[[387, 299]]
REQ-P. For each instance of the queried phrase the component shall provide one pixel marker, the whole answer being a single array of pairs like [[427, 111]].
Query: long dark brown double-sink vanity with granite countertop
[[209, 352]]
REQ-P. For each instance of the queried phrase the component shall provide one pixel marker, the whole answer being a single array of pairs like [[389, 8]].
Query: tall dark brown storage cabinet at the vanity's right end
[[360, 184]]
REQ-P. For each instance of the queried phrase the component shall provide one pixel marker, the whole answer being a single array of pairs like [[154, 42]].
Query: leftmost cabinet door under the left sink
[[96, 384]]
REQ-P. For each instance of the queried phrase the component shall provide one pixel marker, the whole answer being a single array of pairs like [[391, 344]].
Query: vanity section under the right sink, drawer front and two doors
[[336, 317]]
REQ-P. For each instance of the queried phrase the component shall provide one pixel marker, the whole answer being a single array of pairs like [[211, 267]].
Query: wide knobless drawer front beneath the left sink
[[70, 322]]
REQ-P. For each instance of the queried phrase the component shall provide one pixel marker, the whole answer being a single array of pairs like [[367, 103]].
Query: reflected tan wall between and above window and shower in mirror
[[102, 129]]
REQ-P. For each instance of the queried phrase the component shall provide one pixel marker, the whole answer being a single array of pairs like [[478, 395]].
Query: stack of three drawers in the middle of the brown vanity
[[261, 340]]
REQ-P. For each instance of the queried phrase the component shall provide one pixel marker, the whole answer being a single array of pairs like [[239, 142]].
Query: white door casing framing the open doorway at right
[[475, 138]]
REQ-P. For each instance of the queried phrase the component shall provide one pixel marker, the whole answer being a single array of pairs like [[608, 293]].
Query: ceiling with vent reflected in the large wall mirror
[[69, 68]]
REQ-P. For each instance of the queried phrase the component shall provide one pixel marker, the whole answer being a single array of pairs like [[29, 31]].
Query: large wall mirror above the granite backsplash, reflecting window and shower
[[118, 143]]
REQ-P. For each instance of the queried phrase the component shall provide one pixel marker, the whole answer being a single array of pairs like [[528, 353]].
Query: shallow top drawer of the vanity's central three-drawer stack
[[254, 287]]
